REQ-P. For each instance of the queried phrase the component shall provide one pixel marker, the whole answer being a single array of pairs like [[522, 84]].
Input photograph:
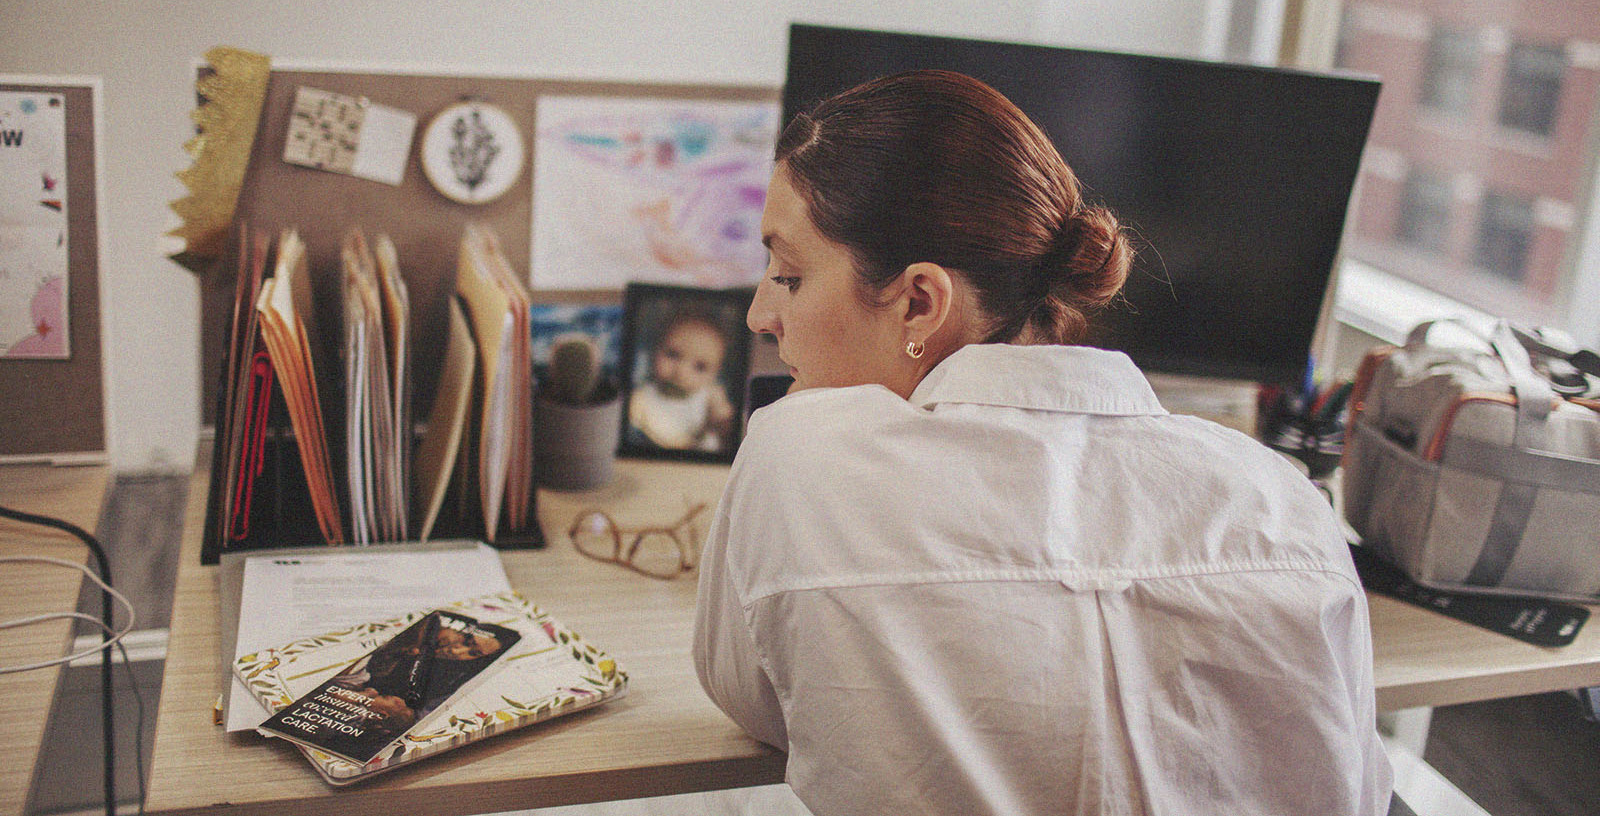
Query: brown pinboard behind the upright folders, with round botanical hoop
[[425, 223]]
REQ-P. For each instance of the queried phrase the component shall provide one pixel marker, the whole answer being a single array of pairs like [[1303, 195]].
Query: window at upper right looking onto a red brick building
[[1498, 207]]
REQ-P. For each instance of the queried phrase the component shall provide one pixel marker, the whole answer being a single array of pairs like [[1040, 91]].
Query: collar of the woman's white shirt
[[1049, 378]]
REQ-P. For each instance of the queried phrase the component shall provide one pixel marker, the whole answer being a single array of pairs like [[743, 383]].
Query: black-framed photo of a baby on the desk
[[687, 358]]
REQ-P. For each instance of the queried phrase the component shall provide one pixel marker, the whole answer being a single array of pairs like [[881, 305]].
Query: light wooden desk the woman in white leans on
[[665, 737]]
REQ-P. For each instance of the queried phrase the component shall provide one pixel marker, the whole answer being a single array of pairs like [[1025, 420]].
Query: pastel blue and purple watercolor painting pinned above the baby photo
[[662, 191]]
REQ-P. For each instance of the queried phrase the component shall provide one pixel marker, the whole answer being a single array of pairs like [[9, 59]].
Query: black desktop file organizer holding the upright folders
[[281, 510]]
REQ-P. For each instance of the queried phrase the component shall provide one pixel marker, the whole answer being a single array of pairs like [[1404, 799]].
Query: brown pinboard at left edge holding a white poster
[[52, 394]]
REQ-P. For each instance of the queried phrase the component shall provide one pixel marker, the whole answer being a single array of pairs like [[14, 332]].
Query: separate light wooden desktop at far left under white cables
[[73, 495]]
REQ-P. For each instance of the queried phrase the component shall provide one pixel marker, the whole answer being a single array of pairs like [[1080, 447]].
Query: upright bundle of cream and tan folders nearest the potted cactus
[[497, 303]]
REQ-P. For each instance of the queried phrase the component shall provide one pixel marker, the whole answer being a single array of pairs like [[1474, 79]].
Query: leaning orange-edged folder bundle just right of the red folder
[[286, 308]]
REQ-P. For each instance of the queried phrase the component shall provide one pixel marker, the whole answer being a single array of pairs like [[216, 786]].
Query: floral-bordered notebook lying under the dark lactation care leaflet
[[548, 673]]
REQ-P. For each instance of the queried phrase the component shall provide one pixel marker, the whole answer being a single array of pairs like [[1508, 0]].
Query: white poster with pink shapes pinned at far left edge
[[33, 226]]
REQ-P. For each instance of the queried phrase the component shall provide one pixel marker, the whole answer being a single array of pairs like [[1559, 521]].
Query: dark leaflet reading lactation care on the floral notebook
[[372, 702]]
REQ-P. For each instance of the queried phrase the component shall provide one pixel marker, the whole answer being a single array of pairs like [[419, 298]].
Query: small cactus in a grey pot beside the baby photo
[[577, 418]]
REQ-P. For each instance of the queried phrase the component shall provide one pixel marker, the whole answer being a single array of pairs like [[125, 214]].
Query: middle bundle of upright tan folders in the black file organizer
[[377, 450]]
